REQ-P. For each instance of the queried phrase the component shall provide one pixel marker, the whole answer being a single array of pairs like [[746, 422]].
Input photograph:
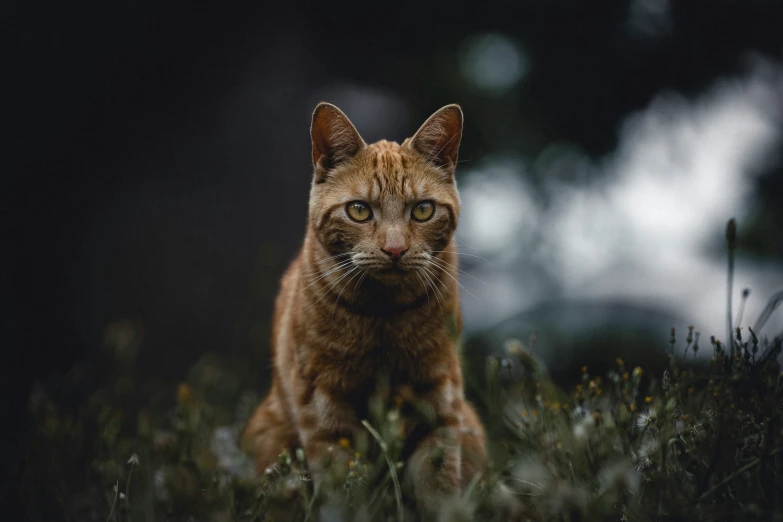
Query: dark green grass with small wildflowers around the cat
[[701, 441]]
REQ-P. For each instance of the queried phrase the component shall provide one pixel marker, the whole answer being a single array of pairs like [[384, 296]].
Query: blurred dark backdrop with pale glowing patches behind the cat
[[164, 165]]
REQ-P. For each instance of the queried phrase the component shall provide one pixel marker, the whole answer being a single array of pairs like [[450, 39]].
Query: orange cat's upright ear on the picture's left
[[335, 139]]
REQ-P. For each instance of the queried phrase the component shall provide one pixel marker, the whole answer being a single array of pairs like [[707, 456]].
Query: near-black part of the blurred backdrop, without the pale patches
[[160, 150]]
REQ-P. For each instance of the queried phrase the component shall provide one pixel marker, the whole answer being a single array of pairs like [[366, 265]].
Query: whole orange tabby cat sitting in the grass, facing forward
[[374, 292]]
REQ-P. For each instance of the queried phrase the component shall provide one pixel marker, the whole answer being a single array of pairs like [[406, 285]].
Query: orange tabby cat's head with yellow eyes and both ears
[[391, 208]]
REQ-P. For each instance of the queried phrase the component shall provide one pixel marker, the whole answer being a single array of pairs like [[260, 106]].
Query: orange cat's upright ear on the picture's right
[[438, 139]]
